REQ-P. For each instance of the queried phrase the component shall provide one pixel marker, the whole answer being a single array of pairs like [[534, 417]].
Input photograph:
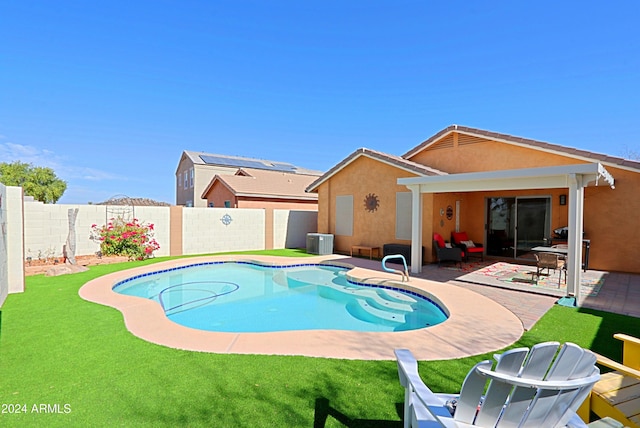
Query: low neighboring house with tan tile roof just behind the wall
[[256, 188]]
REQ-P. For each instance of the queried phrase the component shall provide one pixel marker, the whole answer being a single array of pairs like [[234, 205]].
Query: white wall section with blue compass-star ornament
[[203, 230]]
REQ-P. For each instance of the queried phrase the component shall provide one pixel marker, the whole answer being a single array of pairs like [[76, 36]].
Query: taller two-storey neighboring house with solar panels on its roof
[[196, 170]]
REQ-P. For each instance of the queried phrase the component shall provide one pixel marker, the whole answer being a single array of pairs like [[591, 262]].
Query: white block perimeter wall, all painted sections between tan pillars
[[30, 228]]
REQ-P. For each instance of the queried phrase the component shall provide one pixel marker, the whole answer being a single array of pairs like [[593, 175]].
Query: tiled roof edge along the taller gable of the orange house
[[555, 148]]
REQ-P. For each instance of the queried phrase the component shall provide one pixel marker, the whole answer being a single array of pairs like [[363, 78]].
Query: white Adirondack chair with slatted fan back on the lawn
[[526, 389]]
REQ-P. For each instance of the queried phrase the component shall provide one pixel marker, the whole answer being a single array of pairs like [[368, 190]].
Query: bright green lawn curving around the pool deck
[[78, 358]]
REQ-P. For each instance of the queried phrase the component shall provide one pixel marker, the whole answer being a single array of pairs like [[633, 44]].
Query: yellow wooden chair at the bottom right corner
[[617, 393]]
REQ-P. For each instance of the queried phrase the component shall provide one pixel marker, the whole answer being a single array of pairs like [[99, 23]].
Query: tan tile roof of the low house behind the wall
[[264, 183]]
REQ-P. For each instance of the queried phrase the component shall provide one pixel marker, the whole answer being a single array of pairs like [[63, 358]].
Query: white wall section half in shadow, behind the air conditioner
[[290, 228]]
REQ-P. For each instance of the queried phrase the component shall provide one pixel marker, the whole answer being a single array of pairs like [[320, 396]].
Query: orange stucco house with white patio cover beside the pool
[[506, 192]]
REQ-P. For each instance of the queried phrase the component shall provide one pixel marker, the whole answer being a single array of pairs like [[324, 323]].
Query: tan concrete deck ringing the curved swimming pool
[[476, 324]]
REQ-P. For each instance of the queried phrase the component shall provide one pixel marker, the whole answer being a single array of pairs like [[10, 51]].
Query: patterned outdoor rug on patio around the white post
[[520, 277]]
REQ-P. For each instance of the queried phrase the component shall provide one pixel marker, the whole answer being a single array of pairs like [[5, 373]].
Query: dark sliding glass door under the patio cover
[[515, 225]]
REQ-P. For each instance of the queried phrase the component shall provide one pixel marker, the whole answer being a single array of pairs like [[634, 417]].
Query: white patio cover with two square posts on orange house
[[572, 177]]
